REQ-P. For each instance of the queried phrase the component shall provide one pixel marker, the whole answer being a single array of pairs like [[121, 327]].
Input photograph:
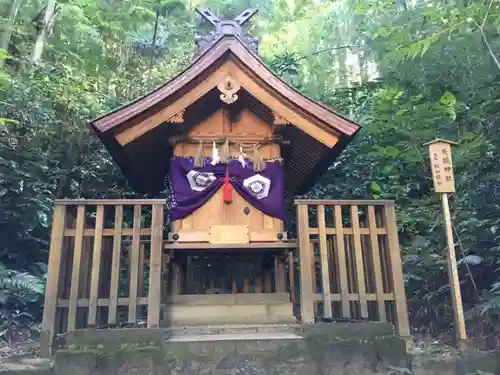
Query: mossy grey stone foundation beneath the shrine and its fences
[[323, 349]]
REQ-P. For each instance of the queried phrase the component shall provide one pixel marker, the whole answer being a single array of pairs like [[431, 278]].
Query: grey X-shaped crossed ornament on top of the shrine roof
[[226, 27]]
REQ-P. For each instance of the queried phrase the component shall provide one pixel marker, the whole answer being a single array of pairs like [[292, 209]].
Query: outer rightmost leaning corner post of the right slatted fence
[[397, 273]]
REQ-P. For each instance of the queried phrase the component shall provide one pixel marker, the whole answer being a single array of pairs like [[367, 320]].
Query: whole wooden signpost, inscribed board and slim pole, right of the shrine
[[444, 183]]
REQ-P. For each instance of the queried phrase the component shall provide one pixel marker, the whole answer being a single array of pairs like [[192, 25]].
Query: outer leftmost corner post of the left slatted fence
[[54, 266]]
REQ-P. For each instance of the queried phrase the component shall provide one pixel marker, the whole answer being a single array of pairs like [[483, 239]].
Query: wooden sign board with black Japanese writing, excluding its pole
[[442, 166]]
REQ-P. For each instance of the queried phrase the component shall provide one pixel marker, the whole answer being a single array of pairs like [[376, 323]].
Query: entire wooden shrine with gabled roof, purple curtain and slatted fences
[[225, 143]]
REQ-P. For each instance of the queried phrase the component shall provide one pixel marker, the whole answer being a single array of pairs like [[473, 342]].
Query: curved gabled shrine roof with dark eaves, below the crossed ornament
[[136, 133]]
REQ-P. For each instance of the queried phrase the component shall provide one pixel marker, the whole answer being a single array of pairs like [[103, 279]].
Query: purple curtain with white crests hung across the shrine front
[[185, 200]]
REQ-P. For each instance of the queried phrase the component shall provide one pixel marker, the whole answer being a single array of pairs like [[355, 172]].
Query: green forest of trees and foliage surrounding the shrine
[[409, 71]]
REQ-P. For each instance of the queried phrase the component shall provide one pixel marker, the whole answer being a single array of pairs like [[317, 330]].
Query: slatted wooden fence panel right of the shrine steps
[[350, 263]]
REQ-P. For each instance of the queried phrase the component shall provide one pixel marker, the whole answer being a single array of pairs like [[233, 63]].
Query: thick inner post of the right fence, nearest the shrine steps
[[305, 258]]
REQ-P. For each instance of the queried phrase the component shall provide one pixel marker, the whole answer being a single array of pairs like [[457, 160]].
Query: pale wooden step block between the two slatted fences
[[221, 309]]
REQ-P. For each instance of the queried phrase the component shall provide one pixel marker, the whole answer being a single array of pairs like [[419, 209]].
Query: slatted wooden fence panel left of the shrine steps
[[105, 265]]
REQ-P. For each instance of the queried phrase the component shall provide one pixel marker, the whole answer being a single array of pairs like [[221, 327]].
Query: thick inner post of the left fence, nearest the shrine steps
[[155, 266]]
